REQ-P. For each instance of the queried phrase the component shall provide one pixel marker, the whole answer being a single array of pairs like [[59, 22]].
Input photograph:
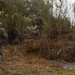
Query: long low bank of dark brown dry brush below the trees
[[45, 48]]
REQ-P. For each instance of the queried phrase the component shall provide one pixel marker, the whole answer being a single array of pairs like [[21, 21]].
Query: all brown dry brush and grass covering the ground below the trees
[[35, 57]]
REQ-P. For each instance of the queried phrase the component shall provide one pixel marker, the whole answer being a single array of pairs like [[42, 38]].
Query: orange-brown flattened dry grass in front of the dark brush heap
[[17, 61]]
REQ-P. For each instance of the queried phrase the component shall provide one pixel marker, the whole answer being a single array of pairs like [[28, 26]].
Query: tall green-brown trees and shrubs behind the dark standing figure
[[16, 15]]
